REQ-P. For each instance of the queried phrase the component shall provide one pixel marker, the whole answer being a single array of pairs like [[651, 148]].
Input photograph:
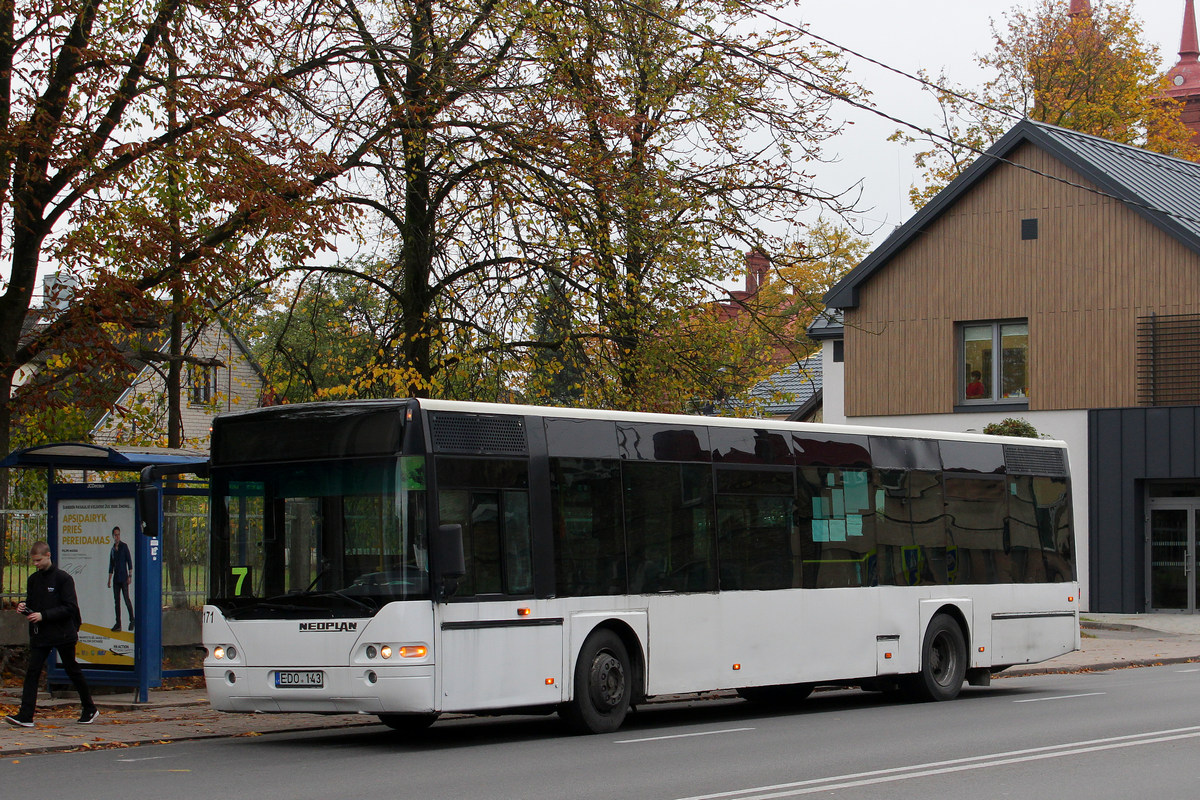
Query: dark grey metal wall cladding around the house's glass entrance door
[[1127, 448]]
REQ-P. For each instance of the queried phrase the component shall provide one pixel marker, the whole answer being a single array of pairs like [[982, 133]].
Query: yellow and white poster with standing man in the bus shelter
[[86, 546]]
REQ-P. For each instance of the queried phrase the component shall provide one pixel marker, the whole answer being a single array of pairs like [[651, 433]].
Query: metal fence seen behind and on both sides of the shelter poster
[[185, 552]]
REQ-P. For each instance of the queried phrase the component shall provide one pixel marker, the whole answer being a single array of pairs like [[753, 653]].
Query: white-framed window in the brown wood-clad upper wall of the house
[[994, 363]]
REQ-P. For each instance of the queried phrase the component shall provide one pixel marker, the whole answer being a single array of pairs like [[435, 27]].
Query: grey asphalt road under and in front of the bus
[[1114, 735]]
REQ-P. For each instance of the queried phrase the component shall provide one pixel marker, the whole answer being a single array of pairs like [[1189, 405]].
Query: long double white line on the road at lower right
[[953, 766]]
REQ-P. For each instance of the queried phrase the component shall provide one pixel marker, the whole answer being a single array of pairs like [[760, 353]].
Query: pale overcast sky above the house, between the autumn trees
[[932, 35]]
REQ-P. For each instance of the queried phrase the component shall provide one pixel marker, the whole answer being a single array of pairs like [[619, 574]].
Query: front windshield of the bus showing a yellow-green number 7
[[329, 539]]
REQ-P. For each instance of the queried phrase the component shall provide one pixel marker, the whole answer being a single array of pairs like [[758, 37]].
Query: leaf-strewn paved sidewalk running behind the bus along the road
[[1112, 642]]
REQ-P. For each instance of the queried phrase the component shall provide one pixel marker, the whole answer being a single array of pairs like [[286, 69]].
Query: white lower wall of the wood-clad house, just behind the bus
[[1069, 426]]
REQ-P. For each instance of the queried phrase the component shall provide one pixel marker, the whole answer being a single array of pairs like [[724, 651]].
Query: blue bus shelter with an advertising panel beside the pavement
[[82, 519]]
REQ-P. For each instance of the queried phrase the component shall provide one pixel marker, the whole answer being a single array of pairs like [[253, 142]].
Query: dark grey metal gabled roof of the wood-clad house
[[1162, 189]]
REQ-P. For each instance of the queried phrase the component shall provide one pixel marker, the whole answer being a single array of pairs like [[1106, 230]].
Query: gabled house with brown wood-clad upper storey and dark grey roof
[[1057, 280]]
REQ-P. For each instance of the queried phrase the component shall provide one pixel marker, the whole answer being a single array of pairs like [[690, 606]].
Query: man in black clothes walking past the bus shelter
[[53, 612]]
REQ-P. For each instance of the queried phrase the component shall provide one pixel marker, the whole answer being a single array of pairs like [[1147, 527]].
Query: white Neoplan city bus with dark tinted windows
[[410, 558]]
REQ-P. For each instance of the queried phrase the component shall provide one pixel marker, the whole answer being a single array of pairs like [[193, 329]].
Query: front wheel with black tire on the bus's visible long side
[[603, 685]]
